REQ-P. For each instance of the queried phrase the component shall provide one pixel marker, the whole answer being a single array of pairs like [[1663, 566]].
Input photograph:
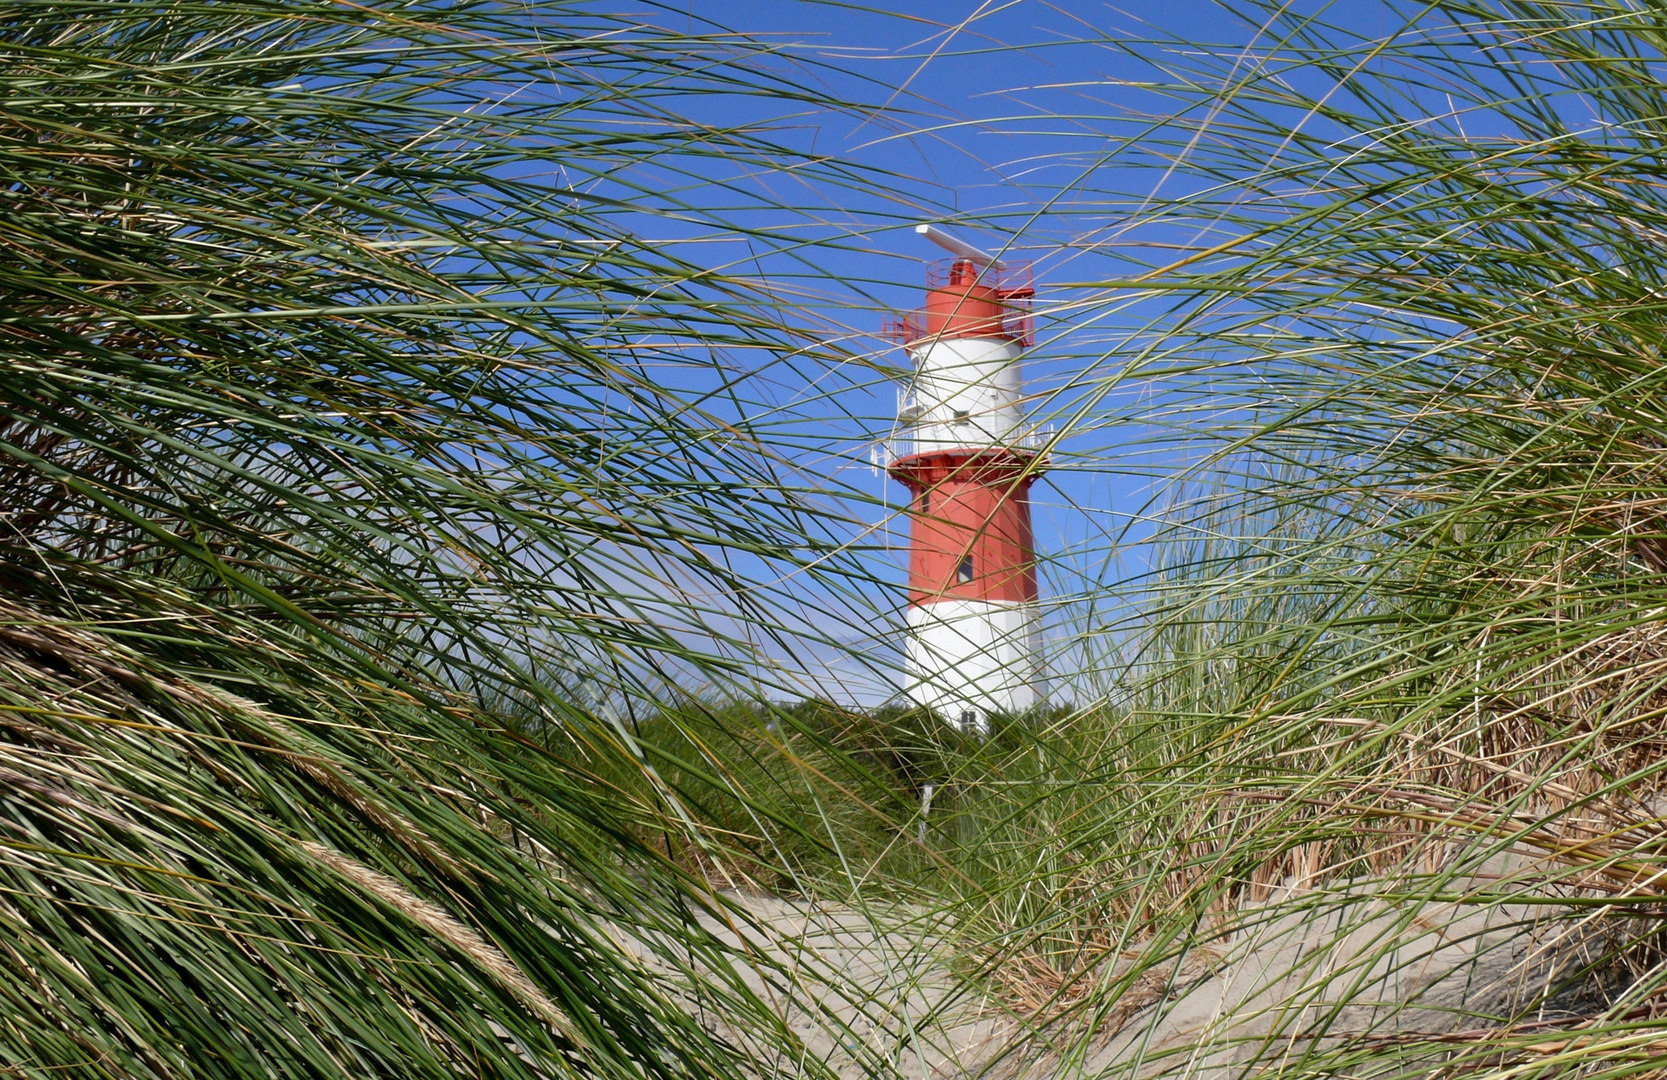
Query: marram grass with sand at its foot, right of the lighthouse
[[1393, 687]]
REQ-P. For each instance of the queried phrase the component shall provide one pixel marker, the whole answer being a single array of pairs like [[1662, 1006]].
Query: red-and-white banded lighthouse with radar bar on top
[[968, 457]]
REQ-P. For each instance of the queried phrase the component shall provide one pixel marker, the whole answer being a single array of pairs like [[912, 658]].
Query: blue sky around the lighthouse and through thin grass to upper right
[[1041, 124]]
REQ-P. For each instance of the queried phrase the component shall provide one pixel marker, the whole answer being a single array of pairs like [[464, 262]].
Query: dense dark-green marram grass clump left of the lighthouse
[[326, 426]]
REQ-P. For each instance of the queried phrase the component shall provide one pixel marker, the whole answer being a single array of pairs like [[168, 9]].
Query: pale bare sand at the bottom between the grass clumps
[[878, 992]]
